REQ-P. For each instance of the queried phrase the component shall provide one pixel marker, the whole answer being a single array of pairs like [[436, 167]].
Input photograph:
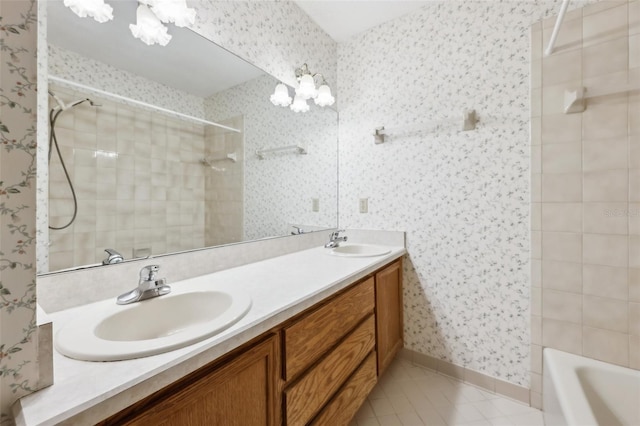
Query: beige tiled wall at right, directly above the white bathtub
[[586, 189]]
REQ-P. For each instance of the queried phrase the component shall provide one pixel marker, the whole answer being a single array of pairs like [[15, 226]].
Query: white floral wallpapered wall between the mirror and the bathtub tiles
[[462, 197]]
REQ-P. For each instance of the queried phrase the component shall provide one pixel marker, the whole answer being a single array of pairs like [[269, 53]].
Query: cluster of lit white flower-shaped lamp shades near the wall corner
[[306, 90]]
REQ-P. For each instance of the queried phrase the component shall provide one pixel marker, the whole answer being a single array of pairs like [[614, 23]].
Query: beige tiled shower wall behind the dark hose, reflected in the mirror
[[138, 179]]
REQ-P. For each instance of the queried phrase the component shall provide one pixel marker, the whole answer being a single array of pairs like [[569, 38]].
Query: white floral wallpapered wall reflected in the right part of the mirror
[[279, 188]]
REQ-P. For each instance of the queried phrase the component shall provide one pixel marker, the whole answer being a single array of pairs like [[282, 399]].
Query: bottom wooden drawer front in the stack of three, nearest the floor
[[341, 409]]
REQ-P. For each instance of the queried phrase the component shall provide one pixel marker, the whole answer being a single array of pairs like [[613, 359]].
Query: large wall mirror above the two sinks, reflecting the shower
[[145, 182]]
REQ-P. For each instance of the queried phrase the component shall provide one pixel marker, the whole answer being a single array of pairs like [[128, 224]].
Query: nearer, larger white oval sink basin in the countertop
[[110, 332]]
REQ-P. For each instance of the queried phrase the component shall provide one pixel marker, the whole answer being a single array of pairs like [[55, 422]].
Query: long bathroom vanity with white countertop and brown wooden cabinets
[[309, 351]]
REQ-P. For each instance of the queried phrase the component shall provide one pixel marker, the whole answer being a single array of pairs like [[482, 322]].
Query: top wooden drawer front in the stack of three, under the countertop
[[310, 337]]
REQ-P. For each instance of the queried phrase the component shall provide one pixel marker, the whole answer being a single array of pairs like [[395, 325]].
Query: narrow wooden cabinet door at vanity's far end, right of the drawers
[[389, 320]]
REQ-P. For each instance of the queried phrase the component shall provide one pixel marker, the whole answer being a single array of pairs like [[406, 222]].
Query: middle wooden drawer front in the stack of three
[[305, 398]]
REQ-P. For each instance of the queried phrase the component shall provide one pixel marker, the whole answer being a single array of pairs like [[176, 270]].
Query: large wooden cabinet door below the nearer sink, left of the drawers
[[241, 392]]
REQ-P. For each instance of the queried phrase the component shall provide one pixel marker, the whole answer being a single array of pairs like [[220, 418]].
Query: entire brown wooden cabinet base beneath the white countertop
[[314, 369]]
